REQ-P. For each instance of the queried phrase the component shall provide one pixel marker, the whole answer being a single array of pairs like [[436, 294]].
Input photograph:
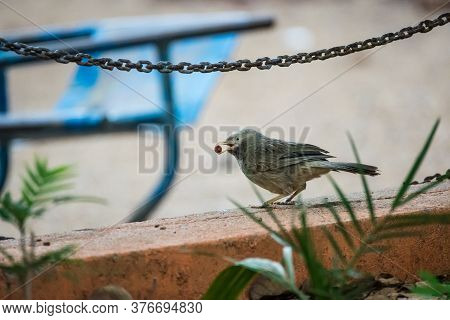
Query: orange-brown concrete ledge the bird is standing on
[[149, 259]]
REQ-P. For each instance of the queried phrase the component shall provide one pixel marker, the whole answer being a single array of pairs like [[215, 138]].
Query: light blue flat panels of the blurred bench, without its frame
[[135, 97]]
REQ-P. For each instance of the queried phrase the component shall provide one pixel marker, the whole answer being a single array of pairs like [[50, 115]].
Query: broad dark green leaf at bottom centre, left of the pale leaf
[[229, 284]]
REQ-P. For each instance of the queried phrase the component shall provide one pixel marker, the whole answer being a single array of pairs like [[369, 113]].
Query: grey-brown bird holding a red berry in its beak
[[281, 167]]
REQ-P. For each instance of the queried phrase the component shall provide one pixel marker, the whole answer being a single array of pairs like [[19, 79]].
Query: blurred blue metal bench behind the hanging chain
[[99, 101]]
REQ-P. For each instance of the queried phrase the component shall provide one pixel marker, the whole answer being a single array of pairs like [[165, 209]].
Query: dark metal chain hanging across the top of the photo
[[84, 59]]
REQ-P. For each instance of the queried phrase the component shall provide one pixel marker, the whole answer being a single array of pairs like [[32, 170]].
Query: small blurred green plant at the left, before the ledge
[[42, 188]]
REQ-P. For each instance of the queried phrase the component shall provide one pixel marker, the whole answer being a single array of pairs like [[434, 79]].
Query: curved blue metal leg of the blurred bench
[[170, 133]]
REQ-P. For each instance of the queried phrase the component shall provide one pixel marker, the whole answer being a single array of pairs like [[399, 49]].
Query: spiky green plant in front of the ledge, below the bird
[[342, 281]]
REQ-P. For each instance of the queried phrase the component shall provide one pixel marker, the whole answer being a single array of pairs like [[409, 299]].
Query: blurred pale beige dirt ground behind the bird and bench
[[388, 102]]
